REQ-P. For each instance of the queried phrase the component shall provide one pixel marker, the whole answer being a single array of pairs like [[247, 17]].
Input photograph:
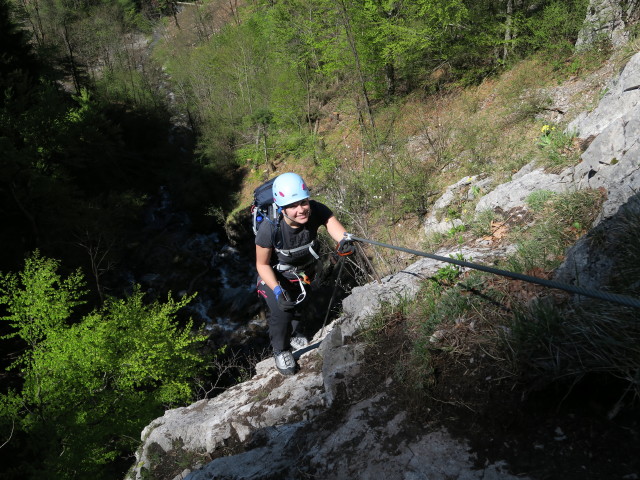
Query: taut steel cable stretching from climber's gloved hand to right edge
[[611, 297]]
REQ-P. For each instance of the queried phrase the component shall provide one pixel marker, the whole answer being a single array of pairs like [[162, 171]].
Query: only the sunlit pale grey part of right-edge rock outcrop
[[611, 162]]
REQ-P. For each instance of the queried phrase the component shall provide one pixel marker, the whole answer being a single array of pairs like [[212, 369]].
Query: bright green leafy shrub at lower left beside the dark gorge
[[89, 384]]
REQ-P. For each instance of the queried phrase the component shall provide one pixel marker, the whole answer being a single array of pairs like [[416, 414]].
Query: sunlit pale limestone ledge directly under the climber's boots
[[207, 426]]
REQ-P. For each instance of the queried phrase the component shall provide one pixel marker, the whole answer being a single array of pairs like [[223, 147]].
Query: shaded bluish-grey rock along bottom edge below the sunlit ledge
[[357, 446]]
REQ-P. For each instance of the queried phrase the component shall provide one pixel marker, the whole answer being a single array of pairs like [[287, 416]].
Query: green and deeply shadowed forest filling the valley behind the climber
[[104, 103]]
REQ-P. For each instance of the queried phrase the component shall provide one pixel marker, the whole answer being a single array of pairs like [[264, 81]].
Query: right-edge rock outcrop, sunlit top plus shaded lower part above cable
[[610, 163]]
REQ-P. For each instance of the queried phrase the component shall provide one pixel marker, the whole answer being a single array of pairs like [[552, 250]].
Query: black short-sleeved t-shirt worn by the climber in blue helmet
[[295, 237]]
